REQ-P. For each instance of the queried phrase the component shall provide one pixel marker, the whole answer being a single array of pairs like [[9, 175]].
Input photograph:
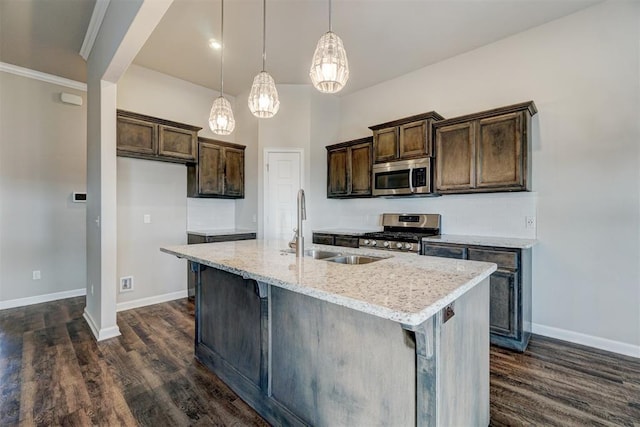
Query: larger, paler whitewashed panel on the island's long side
[[333, 366]]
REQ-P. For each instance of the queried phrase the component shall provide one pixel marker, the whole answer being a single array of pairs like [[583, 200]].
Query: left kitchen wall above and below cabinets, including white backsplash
[[148, 92]]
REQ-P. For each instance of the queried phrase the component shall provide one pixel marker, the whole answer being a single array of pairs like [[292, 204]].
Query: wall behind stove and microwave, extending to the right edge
[[582, 71]]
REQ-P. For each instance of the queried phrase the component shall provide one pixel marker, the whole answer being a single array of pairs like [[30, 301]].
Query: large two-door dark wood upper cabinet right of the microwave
[[488, 151]]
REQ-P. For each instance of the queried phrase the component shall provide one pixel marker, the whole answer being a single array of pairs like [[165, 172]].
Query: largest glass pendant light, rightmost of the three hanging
[[329, 67]]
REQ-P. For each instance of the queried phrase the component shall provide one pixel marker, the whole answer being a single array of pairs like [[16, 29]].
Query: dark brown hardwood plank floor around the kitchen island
[[52, 372]]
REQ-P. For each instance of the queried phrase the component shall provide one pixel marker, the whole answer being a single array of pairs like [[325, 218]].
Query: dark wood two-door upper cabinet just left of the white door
[[219, 172]]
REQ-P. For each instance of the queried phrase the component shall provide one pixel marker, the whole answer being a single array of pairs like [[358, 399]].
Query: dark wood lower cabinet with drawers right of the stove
[[510, 288]]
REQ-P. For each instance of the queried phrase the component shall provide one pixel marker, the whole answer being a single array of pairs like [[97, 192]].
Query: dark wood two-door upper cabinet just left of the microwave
[[349, 169]]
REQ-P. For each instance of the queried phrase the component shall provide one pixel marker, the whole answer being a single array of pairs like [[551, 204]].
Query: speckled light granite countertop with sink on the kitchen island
[[405, 287]]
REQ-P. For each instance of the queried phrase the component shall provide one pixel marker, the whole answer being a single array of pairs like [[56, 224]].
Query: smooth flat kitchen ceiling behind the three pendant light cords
[[383, 38]]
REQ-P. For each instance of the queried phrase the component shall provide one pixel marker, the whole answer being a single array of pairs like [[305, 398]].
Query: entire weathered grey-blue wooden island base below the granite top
[[299, 360]]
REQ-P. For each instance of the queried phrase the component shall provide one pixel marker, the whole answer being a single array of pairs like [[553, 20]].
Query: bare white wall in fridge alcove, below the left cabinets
[[159, 190]]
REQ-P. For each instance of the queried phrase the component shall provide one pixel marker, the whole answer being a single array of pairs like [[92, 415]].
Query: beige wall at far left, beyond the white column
[[42, 162]]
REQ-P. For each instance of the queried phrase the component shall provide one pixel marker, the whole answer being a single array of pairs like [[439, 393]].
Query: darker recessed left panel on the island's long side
[[229, 320]]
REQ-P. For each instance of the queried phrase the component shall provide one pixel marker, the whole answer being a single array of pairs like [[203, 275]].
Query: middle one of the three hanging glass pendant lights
[[263, 98]]
